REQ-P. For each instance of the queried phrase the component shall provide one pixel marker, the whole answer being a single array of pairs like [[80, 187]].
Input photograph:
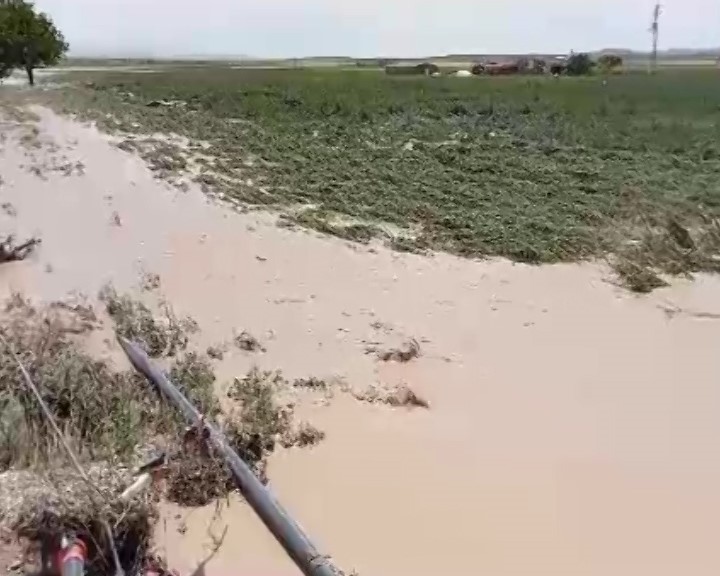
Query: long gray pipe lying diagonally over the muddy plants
[[286, 531]]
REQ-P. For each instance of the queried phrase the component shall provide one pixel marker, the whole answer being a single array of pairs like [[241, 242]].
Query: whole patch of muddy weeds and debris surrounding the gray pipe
[[114, 421]]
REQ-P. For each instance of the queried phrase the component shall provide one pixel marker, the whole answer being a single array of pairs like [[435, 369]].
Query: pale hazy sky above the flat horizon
[[276, 28]]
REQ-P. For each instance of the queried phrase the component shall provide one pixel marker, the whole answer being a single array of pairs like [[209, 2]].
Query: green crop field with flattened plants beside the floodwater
[[534, 169]]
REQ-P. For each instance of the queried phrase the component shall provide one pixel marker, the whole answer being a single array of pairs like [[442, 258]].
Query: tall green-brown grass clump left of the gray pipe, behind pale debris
[[104, 413]]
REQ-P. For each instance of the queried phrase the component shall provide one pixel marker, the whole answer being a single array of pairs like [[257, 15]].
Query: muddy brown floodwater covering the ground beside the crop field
[[573, 427]]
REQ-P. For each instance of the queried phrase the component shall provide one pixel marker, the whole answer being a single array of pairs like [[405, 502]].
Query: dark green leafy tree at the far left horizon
[[28, 39]]
